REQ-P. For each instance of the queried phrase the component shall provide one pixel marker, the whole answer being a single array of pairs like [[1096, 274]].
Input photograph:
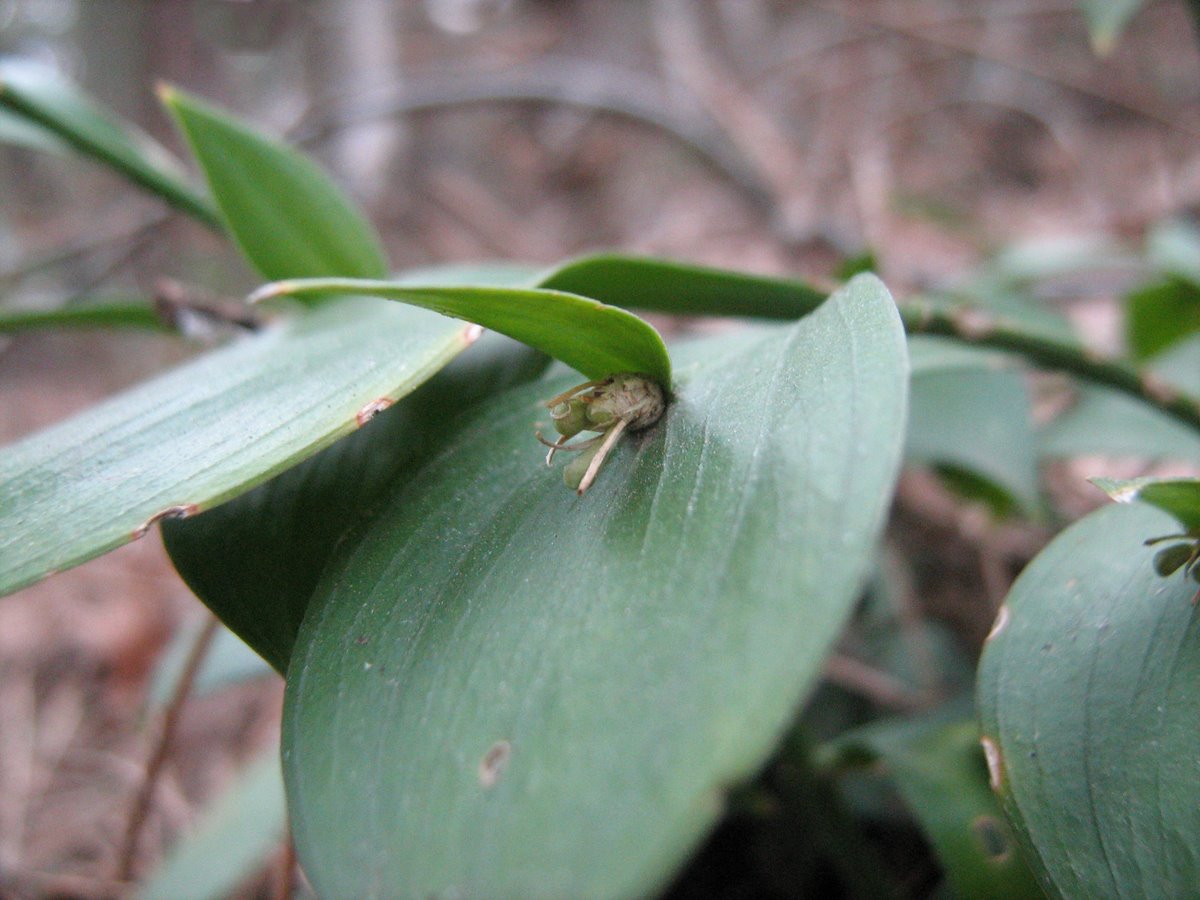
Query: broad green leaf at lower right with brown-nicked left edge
[[1089, 691]]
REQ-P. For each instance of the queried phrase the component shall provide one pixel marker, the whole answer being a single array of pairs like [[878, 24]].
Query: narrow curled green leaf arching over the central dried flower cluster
[[590, 337]]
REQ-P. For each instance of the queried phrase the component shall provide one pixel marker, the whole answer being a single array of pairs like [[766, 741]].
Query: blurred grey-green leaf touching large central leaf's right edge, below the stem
[[979, 421]]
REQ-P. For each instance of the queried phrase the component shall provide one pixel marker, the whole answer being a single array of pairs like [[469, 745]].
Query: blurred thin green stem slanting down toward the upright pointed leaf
[[176, 193]]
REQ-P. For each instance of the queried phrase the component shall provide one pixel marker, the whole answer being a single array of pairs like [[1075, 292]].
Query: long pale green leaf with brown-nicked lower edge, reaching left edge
[[208, 431]]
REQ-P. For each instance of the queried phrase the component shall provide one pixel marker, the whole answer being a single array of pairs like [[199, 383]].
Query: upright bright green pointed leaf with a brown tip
[[287, 217]]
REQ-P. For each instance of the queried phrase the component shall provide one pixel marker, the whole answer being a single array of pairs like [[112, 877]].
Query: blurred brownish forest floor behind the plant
[[761, 135]]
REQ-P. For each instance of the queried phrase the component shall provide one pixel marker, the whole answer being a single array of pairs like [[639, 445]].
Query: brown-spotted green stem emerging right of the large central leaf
[[983, 329]]
